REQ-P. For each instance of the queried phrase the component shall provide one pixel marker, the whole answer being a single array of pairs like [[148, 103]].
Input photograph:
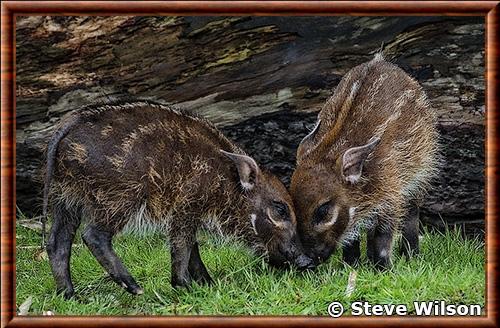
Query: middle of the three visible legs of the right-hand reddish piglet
[[379, 246]]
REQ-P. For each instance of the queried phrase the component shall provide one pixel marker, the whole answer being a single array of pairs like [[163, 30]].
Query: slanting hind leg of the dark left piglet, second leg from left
[[99, 241]]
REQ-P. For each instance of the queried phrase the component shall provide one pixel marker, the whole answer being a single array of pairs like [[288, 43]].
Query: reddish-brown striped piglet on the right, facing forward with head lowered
[[367, 163]]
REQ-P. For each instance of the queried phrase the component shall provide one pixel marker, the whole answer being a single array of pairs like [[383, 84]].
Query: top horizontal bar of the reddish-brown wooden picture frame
[[245, 7]]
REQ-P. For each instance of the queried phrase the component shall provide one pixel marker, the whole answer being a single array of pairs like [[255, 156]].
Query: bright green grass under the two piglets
[[450, 268]]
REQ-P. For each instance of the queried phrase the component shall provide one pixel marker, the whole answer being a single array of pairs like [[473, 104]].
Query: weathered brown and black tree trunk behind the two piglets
[[259, 78]]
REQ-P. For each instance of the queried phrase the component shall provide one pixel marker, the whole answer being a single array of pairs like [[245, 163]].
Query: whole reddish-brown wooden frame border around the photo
[[11, 9]]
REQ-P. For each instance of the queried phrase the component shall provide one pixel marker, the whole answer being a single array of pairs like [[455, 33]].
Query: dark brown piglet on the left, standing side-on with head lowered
[[144, 166]]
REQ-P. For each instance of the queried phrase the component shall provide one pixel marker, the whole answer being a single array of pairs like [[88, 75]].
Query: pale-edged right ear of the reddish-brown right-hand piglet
[[354, 158]]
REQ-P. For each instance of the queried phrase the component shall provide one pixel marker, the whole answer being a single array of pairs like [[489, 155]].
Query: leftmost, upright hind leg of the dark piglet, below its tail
[[64, 226]]
